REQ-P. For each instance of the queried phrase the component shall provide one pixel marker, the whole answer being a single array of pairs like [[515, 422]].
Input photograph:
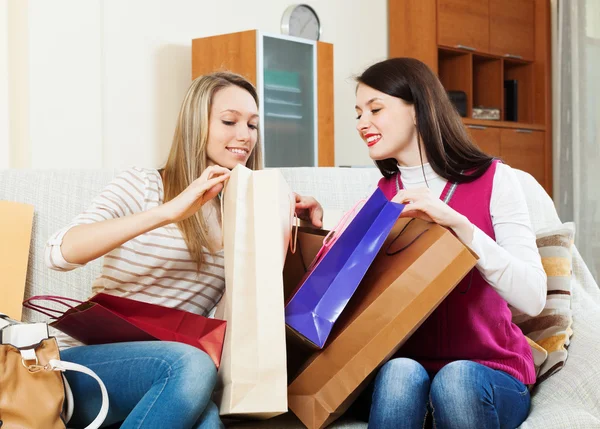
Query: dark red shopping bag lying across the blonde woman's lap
[[112, 319]]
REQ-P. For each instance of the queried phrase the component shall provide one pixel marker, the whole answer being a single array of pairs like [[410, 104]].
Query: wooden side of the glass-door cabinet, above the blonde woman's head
[[235, 51]]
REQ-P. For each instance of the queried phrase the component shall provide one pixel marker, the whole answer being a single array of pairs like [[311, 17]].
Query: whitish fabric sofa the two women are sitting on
[[568, 399]]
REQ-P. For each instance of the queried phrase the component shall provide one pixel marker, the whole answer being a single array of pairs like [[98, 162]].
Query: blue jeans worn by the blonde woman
[[150, 384]]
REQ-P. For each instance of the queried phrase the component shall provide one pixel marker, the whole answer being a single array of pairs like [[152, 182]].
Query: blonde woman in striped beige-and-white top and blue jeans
[[159, 232]]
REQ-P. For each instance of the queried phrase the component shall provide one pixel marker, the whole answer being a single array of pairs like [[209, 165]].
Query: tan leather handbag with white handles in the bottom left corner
[[33, 391]]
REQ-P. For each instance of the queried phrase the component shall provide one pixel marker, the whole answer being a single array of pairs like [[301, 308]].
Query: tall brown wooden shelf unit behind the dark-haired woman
[[474, 46]]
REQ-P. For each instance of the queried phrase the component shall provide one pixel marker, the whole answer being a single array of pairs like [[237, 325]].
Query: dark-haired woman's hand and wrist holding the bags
[[421, 203]]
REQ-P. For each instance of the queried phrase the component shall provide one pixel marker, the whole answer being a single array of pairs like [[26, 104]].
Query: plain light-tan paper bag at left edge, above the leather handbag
[[16, 220]]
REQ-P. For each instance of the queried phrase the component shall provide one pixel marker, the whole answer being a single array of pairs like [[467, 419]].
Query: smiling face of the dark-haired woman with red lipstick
[[387, 126]]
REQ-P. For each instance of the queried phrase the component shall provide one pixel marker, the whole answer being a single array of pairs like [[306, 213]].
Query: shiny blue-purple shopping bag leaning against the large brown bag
[[330, 282]]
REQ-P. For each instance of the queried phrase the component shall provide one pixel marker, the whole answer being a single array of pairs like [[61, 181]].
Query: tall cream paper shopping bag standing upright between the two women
[[258, 209]]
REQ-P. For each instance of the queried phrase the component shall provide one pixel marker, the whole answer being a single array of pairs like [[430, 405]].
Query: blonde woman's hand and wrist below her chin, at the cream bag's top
[[200, 191]]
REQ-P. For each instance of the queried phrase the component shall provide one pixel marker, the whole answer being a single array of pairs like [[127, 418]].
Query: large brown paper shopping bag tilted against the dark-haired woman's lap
[[418, 266]]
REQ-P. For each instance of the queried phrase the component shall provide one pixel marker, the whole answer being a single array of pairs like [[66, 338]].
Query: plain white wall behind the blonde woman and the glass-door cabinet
[[106, 77]]
